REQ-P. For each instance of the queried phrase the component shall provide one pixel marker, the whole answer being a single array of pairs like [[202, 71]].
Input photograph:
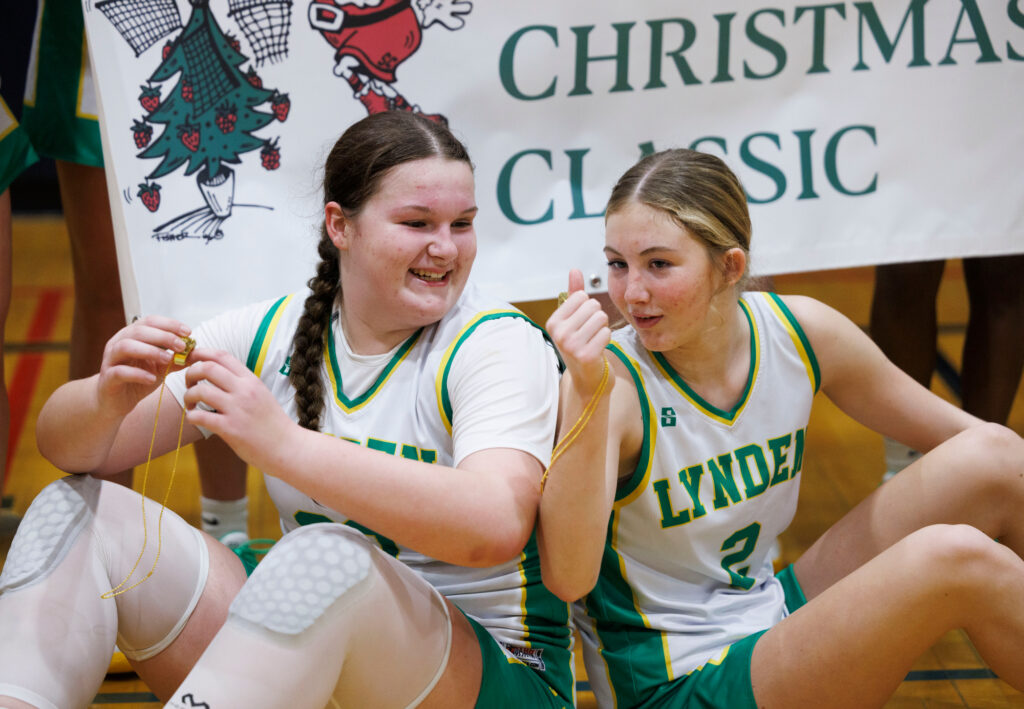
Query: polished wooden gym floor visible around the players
[[843, 462]]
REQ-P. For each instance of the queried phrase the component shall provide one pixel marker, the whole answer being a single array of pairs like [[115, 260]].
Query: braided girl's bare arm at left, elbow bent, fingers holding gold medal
[[104, 424]]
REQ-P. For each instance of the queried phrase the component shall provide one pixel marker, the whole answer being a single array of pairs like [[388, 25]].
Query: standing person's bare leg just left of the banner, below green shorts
[[99, 311]]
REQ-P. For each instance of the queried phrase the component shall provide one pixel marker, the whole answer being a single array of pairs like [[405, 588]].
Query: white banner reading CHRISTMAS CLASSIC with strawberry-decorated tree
[[864, 133]]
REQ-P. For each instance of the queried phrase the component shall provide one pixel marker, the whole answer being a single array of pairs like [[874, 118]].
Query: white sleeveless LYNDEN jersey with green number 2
[[687, 569]]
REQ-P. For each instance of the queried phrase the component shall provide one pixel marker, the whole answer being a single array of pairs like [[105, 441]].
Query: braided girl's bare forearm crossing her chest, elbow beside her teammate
[[481, 513]]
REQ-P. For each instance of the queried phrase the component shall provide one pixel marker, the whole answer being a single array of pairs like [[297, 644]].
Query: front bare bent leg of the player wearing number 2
[[884, 616]]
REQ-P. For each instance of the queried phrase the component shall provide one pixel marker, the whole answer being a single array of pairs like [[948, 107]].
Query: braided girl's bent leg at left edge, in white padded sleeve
[[79, 538]]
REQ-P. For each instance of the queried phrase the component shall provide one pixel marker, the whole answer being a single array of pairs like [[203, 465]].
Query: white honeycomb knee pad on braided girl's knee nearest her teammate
[[307, 572]]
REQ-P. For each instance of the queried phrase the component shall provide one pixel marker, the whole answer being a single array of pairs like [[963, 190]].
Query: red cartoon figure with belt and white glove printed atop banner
[[373, 37]]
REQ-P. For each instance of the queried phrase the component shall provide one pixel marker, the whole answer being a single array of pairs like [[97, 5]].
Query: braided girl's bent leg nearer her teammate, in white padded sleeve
[[326, 620]]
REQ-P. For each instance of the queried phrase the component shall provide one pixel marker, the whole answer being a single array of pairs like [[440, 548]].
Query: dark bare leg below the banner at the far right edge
[[994, 347]]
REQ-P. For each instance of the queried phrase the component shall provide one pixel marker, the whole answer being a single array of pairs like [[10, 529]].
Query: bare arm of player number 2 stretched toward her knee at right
[[862, 382]]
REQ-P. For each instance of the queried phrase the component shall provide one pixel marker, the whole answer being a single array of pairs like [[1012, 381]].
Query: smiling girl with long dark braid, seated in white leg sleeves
[[400, 443]]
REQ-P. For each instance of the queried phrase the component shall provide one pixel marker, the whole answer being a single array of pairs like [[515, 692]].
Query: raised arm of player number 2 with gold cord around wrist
[[581, 484]]
